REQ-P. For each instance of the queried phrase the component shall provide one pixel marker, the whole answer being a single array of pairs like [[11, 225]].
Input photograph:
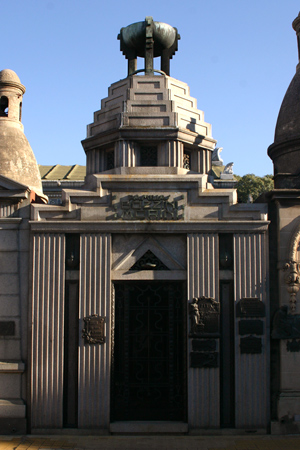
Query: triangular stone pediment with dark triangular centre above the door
[[149, 249]]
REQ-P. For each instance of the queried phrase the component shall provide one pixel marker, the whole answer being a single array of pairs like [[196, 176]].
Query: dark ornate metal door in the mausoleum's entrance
[[149, 369]]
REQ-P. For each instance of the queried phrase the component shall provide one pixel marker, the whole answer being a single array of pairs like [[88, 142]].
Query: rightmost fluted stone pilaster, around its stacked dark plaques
[[251, 373]]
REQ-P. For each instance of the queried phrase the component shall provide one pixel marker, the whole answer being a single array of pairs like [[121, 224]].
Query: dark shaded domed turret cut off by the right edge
[[285, 151]]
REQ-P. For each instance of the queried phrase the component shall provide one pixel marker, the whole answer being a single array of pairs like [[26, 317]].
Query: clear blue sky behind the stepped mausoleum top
[[237, 56]]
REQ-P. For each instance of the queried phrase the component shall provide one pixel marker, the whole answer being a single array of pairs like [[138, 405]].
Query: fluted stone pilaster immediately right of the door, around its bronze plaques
[[203, 384]]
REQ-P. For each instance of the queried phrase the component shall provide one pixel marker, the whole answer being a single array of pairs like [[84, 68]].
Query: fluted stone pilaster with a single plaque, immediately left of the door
[[94, 359]]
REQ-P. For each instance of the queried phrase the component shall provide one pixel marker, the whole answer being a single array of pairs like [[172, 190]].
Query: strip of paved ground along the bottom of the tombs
[[151, 442]]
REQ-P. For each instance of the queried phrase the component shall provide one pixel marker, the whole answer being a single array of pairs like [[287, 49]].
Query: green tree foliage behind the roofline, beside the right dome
[[249, 187]]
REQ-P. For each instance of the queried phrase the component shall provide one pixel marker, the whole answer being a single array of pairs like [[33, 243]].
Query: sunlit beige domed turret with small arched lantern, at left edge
[[17, 160]]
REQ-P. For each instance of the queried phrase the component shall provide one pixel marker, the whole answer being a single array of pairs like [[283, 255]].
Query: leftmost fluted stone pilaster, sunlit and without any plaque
[[47, 331]]
